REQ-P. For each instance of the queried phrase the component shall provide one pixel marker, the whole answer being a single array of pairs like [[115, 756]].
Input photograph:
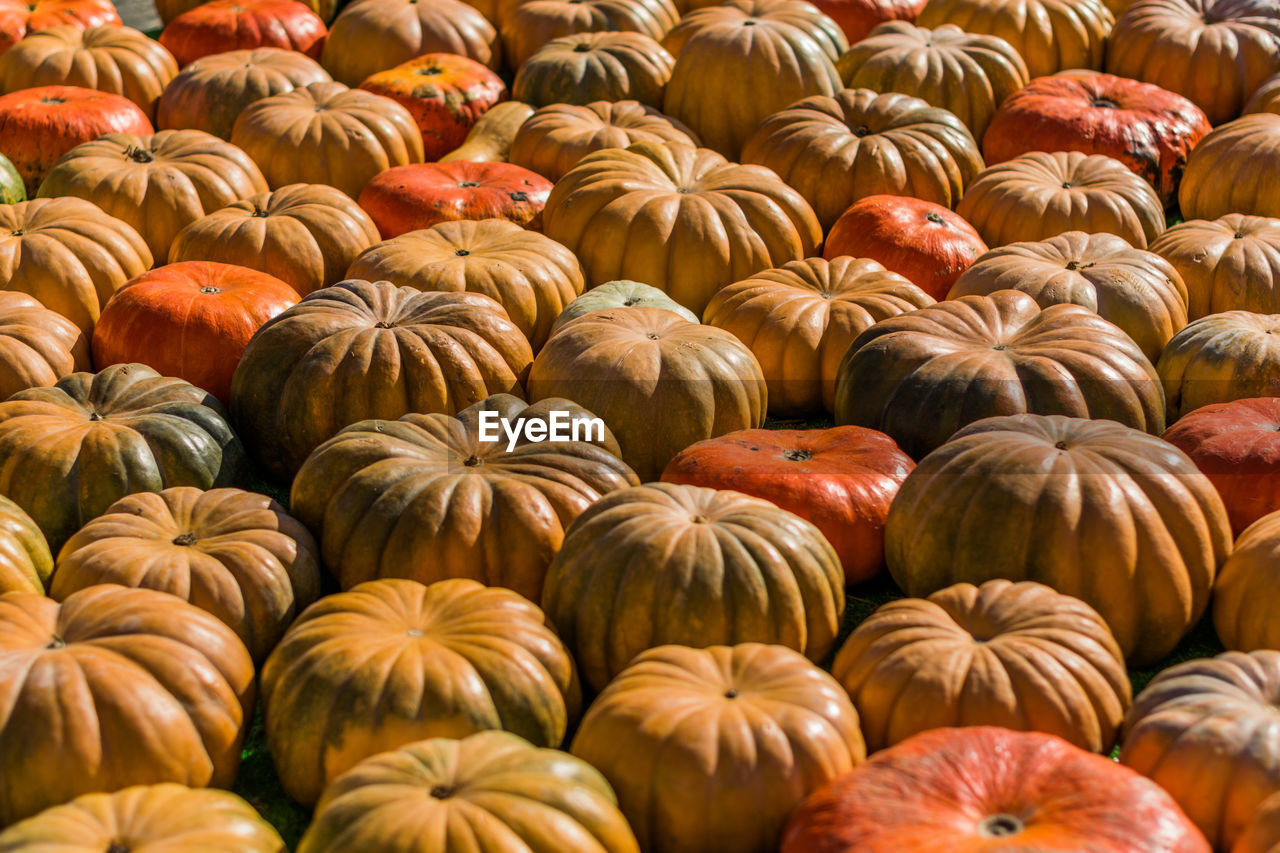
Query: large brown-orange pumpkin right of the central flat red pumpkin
[[1053, 480]]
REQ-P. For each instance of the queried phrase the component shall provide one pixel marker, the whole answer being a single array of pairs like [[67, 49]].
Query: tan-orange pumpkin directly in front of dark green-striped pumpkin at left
[[236, 555]]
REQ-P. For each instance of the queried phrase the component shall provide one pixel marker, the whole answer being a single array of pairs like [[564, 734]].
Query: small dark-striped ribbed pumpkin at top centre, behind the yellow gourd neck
[[593, 67]]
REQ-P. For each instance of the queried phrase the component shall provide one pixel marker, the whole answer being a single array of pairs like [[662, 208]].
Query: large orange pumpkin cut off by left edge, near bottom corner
[[122, 667]]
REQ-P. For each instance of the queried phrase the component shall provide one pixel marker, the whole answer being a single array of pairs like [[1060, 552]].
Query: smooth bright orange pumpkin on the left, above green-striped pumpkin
[[190, 321]]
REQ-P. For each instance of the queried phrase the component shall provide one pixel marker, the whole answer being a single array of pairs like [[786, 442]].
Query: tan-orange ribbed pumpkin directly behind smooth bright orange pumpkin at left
[[304, 235]]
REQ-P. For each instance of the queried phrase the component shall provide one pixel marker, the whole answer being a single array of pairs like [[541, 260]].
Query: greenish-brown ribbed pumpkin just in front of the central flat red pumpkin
[[680, 564]]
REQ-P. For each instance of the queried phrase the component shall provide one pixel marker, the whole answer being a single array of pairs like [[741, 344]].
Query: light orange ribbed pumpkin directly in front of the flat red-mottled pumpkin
[[531, 276]]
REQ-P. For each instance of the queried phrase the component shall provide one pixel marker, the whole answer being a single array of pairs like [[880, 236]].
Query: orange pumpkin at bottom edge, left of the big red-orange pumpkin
[[746, 732]]
